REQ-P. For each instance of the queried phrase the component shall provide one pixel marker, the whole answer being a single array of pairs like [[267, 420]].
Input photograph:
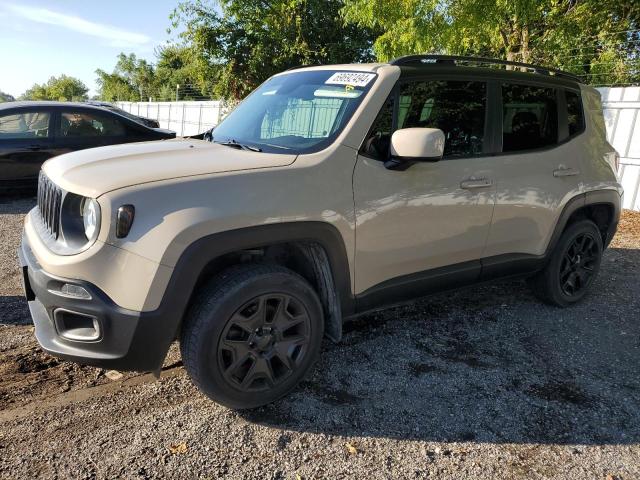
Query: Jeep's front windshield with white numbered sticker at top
[[298, 112]]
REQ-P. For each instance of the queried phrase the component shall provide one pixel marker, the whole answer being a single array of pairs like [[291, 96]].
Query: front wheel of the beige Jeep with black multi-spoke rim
[[251, 335]]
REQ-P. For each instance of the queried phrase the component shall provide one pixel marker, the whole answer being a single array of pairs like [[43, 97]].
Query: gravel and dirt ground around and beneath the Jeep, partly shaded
[[484, 383]]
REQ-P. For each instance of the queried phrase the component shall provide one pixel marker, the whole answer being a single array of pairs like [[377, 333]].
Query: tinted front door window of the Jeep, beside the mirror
[[456, 107]]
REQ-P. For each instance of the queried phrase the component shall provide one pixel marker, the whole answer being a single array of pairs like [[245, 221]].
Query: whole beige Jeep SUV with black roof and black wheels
[[330, 191]]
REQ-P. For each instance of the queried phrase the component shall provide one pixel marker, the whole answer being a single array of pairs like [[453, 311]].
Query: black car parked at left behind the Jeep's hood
[[32, 132]]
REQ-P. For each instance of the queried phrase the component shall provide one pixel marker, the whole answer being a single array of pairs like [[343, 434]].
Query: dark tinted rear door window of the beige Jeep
[[529, 117]]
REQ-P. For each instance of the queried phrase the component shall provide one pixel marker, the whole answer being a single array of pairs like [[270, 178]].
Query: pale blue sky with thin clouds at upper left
[[39, 38]]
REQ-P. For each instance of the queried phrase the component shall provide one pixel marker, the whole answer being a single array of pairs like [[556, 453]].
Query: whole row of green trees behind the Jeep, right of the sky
[[226, 48]]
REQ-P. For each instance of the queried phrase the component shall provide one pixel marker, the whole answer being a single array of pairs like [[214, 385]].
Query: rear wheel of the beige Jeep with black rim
[[573, 266]]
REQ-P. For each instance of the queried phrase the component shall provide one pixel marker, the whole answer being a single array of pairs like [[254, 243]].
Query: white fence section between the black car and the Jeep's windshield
[[184, 118]]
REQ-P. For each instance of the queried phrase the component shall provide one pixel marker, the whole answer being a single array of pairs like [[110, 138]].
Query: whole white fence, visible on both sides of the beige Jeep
[[621, 112]]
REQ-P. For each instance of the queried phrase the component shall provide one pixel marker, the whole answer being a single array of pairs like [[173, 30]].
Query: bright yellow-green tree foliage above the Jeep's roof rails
[[588, 37]]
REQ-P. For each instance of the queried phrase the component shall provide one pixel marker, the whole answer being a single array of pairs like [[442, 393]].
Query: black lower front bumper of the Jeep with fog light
[[92, 331]]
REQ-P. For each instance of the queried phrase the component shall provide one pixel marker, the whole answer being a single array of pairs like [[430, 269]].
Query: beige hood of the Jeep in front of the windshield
[[96, 171]]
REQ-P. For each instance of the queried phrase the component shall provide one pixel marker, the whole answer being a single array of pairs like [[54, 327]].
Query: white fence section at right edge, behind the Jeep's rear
[[621, 112]]
